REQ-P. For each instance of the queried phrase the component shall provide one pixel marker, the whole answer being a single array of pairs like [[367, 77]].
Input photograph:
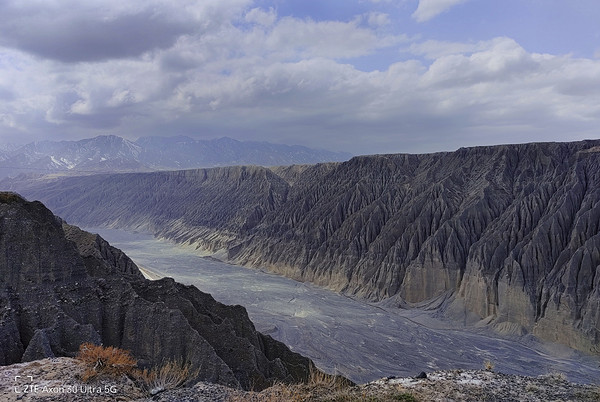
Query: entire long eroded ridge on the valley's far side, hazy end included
[[507, 234]]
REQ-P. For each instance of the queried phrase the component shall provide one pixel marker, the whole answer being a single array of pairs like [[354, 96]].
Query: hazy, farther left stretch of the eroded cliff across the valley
[[210, 207]]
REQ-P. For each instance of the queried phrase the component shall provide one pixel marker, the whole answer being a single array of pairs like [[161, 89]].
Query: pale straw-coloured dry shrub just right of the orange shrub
[[171, 375]]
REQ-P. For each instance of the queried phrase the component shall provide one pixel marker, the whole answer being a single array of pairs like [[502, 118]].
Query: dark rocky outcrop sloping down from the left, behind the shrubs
[[61, 286]]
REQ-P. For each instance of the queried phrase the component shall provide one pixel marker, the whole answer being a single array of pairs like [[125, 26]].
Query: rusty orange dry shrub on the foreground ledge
[[104, 360]]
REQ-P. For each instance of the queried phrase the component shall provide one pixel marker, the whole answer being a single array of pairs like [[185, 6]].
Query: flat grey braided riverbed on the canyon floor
[[359, 340]]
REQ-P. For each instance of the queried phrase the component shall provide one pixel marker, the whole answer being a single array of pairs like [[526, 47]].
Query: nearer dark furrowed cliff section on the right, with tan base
[[512, 232]]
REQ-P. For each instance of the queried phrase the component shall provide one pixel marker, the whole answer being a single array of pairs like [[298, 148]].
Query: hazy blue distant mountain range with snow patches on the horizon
[[111, 153]]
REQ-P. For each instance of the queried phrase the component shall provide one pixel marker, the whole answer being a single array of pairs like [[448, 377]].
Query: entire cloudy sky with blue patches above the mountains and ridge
[[360, 76]]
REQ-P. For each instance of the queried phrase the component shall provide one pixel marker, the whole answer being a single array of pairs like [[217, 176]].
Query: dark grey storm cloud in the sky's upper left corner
[[75, 36]]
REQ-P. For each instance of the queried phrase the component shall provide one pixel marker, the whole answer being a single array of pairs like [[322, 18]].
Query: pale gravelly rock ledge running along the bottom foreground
[[53, 377]]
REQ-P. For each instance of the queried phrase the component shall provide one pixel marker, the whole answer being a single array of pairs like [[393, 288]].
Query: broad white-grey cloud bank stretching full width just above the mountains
[[491, 88]]
